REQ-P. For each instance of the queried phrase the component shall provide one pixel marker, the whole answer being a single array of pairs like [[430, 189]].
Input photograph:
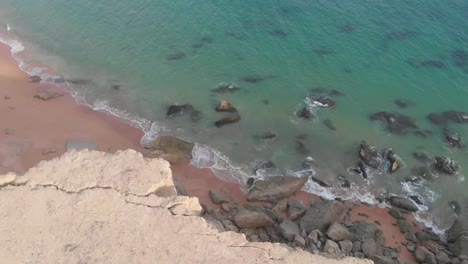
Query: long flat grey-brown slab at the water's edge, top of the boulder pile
[[275, 188]]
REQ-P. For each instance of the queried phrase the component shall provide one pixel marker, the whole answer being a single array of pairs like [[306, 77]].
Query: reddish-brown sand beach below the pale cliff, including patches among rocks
[[27, 120]]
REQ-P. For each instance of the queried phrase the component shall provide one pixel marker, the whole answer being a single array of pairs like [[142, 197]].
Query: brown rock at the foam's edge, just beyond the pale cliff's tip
[[174, 146]]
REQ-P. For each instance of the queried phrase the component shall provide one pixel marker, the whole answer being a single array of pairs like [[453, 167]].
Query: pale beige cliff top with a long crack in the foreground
[[94, 207]]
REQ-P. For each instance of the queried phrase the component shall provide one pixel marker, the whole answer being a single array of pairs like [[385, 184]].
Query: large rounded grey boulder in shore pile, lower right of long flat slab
[[321, 214]]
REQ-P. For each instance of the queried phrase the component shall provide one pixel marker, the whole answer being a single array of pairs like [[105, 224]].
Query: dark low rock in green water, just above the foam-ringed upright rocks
[[395, 123]]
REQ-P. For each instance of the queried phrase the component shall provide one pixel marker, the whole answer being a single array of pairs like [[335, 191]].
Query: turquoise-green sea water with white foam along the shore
[[373, 48]]
